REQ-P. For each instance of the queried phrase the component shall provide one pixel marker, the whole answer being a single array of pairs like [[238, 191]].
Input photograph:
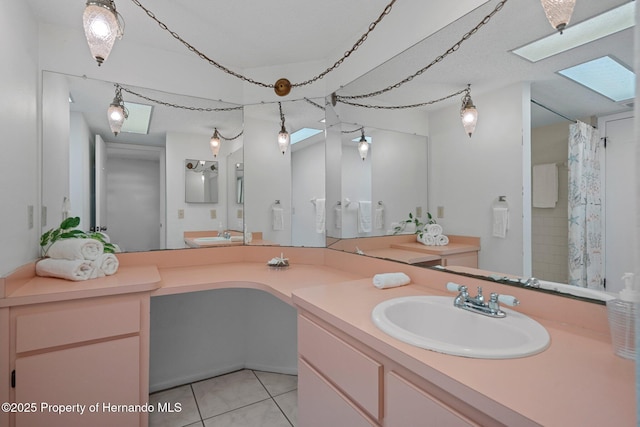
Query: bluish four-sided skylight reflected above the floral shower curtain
[[606, 76]]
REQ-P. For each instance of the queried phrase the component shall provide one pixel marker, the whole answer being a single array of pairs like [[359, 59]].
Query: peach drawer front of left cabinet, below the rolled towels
[[35, 331]]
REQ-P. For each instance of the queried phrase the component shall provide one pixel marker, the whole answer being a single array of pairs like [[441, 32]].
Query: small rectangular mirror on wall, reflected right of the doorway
[[200, 181]]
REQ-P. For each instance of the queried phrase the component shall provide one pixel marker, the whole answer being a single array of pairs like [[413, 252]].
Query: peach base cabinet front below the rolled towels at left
[[80, 363]]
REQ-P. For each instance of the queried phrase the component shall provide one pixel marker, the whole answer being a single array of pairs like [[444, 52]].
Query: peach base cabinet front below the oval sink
[[329, 396]]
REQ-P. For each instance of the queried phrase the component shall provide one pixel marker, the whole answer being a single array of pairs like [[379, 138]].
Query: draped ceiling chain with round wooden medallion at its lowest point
[[282, 82]]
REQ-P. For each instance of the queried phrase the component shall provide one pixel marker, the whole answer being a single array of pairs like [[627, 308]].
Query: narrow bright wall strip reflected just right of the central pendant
[[308, 178]]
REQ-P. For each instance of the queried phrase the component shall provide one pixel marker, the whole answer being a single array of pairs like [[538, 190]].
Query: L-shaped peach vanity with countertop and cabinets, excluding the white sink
[[60, 339]]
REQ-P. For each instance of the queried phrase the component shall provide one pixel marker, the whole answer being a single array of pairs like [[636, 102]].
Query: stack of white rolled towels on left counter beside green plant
[[77, 259]]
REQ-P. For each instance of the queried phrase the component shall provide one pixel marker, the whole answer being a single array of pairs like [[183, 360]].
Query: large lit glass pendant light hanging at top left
[[102, 25]]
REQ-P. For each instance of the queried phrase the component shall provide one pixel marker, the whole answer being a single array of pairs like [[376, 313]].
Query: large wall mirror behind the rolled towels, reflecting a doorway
[[134, 186]]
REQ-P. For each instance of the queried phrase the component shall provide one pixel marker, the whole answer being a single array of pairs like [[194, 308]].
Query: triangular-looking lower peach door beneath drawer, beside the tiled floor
[[321, 405]]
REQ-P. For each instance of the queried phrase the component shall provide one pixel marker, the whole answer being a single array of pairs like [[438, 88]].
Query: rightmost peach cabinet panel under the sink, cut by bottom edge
[[407, 405]]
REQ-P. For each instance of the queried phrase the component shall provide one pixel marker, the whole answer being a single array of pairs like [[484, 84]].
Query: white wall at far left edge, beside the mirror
[[20, 124]]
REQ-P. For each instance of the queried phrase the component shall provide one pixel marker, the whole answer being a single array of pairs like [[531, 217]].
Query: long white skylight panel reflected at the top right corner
[[595, 28]]
